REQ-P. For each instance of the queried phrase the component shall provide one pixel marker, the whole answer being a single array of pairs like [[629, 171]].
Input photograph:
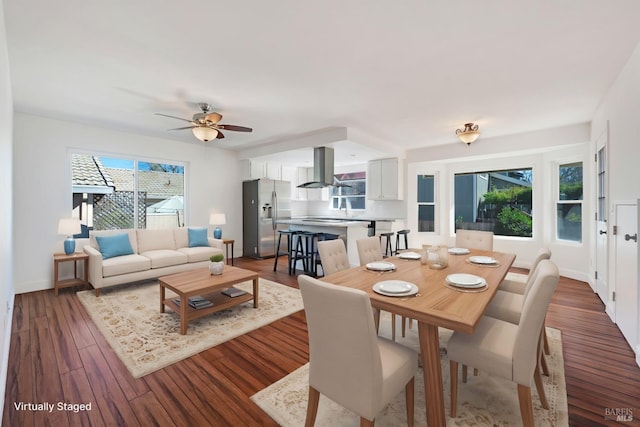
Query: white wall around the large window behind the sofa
[[42, 185]]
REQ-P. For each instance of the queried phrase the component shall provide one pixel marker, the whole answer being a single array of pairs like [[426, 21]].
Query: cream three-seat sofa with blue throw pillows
[[155, 253]]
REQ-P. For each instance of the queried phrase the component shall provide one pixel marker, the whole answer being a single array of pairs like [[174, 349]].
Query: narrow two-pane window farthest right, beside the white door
[[569, 204]]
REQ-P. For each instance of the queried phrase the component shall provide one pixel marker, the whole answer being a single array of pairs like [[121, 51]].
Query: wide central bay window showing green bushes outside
[[498, 201]]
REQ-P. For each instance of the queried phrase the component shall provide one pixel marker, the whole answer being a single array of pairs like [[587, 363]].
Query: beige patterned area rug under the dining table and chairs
[[482, 401]]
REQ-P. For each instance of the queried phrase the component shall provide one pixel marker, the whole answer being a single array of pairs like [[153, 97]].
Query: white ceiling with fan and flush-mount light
[[397, 75]]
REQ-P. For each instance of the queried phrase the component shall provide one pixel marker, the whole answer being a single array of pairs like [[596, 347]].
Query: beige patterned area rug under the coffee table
[[146, 340]]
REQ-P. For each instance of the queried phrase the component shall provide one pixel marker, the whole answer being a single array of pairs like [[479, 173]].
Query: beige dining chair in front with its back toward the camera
[[348, 362]]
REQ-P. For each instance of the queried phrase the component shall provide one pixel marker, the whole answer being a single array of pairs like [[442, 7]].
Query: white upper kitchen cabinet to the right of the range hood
[[384, 179]]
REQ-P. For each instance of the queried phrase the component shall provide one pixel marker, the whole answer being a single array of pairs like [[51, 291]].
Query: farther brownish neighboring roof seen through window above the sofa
[[157, 184]]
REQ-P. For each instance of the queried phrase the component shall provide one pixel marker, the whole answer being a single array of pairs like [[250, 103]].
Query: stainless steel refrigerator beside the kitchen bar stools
[[264, 203]]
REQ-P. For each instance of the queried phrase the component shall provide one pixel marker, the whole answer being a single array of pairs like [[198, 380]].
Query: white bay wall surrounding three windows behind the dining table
[[569, 144]]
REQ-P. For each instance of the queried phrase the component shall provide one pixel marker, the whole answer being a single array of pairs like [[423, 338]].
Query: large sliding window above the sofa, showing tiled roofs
[[116, 193]]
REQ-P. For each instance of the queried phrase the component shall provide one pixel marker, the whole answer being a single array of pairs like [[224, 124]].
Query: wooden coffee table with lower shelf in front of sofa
[[202, 283]]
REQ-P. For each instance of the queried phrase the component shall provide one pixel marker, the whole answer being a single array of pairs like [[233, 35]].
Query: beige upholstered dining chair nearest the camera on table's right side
[[508, 350]]
